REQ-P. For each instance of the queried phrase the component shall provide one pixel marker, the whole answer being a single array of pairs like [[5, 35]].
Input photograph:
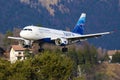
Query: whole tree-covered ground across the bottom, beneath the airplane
[[79, 63]]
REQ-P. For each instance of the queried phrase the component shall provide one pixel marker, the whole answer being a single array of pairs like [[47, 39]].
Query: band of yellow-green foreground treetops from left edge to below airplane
[[45, 66]]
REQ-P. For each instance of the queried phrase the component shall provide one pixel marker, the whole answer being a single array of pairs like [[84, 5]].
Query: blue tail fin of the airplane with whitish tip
[[79, 27]]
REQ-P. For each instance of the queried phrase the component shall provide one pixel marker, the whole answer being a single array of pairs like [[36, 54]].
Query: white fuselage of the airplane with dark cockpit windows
[[37, 33]]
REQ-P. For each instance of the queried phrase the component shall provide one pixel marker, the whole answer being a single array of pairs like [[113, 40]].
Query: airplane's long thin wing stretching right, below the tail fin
[[84, 37]]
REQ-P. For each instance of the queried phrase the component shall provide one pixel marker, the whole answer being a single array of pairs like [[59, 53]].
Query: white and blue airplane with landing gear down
[[31, 34]]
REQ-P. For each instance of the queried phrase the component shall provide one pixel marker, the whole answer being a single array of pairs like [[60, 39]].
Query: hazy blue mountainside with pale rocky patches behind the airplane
[[102, 15]]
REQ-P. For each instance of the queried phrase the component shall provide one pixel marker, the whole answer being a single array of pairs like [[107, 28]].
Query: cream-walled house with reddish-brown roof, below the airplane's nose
[[17, 53]]
